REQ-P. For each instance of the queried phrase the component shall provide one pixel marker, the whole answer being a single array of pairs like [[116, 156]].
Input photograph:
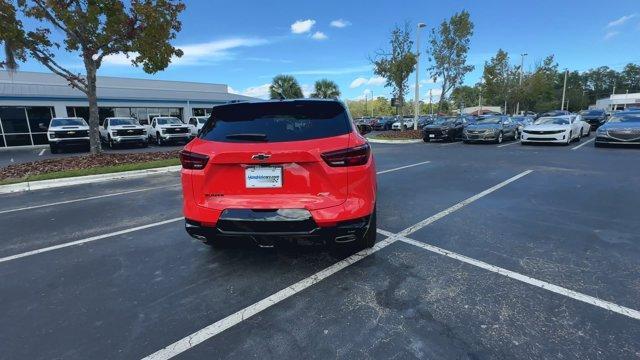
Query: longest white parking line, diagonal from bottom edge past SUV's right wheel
[[219, 326]]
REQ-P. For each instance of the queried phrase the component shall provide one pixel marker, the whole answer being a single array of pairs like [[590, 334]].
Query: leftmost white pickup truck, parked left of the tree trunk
[[66, 132]]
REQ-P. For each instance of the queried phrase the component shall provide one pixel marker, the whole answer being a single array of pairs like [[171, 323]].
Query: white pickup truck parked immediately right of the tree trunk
[[117, 131]]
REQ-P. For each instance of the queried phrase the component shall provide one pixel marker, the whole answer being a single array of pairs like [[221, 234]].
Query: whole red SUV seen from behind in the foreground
[[285, 169]]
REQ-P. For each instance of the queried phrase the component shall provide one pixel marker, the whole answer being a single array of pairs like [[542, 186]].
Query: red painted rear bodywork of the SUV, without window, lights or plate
[[331, 194]]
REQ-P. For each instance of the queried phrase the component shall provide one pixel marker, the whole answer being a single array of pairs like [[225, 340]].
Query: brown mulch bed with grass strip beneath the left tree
[[18, 171]]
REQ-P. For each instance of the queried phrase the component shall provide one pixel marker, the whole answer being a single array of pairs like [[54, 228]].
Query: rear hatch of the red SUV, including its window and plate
[[269, 156]]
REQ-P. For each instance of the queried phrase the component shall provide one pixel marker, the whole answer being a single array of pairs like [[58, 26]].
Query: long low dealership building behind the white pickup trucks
[[28, 101]]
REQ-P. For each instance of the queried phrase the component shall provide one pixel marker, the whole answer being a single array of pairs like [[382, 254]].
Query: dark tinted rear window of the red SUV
[[276, 122]]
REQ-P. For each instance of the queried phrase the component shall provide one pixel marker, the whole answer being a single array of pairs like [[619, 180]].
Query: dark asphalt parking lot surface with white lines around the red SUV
[[484, 251]]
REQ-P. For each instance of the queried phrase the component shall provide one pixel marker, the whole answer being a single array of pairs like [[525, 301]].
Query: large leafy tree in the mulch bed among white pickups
[[142, 30]]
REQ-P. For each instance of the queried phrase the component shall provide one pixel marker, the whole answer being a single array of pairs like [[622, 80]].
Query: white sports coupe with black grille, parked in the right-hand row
[[555, 129]]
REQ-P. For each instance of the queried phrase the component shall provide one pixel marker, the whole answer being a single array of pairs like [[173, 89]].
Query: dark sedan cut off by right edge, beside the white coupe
[[622, 128]]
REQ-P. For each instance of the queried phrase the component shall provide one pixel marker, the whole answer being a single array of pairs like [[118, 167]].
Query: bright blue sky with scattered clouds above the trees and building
[[244, 44]]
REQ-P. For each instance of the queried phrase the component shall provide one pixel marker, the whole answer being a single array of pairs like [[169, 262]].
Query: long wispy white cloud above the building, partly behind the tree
[[199, 53]]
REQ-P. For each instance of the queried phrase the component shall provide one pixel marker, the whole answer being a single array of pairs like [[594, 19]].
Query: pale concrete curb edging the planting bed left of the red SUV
[[55, 183]]
